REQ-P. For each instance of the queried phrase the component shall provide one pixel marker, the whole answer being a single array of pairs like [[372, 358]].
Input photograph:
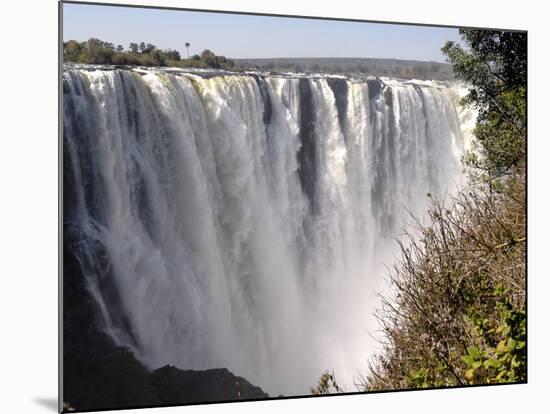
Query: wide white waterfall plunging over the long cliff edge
[[243, 221]]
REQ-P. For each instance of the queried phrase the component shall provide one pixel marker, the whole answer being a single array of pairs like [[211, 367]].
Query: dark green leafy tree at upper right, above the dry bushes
[[494, 64]]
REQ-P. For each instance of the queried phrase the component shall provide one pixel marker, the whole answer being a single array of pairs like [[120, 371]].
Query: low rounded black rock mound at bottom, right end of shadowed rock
[[187, 386]]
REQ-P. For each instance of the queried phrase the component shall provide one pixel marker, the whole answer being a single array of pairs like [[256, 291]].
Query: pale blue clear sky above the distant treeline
[[244, 36]]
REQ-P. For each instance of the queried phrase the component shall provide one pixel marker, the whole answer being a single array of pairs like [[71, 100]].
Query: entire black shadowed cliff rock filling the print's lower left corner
[[99, 375]]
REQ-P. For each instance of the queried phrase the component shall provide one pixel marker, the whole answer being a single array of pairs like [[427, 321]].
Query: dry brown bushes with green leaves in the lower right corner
[[456, 314]]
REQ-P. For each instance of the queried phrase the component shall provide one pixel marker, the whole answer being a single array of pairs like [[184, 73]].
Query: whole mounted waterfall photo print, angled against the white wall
[[263, 206]]
